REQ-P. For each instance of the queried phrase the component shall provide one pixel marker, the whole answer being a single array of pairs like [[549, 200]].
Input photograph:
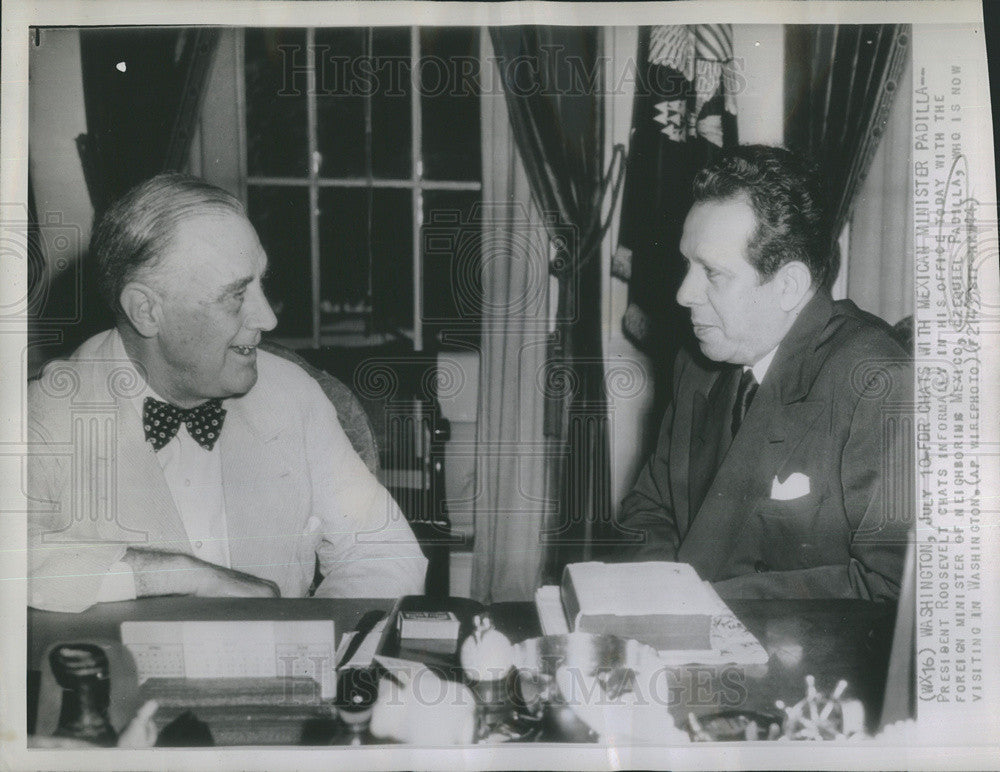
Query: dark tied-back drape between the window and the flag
[[551, 79]]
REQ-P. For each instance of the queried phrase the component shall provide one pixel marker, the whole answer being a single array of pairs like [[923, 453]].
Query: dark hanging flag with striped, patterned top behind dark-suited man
[[683, 112]]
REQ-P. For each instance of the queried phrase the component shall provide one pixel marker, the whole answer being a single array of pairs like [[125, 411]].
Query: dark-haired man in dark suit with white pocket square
[[781, 466]]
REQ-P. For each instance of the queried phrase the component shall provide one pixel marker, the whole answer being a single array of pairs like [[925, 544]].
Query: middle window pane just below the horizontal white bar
[[366, 240]]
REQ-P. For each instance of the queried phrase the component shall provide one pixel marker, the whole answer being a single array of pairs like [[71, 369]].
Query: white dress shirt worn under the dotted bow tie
[[194, 478]]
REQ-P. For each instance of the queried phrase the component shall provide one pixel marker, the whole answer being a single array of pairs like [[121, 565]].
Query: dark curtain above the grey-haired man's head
[[142, 93]]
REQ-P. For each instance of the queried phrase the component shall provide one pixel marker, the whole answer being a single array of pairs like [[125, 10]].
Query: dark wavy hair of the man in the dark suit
[[787, 195]]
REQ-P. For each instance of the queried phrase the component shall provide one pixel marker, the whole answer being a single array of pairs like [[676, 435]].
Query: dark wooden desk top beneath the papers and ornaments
[[829, 639]]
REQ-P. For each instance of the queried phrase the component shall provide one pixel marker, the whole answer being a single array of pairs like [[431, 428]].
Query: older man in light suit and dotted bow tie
[[170, 456]]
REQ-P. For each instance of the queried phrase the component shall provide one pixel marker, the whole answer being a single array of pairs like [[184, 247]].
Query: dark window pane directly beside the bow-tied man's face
[[281, 217]]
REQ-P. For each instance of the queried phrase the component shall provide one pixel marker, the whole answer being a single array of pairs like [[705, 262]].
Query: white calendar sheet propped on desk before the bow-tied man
[[234, 649]]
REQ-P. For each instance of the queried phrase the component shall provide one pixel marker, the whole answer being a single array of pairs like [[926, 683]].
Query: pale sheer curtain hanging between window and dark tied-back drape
[[511, 502]]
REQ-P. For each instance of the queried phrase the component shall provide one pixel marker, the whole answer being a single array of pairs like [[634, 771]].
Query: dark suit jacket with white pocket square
[[835, 407]]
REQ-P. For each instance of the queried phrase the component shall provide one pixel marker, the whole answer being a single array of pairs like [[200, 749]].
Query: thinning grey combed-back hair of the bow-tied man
[[138, 228]]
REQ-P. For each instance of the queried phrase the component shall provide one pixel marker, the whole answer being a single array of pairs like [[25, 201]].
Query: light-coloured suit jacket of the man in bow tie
[[294, 487]]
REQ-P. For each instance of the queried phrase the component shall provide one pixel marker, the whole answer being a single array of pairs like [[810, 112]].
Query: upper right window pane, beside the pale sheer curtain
[[449, 77]]
